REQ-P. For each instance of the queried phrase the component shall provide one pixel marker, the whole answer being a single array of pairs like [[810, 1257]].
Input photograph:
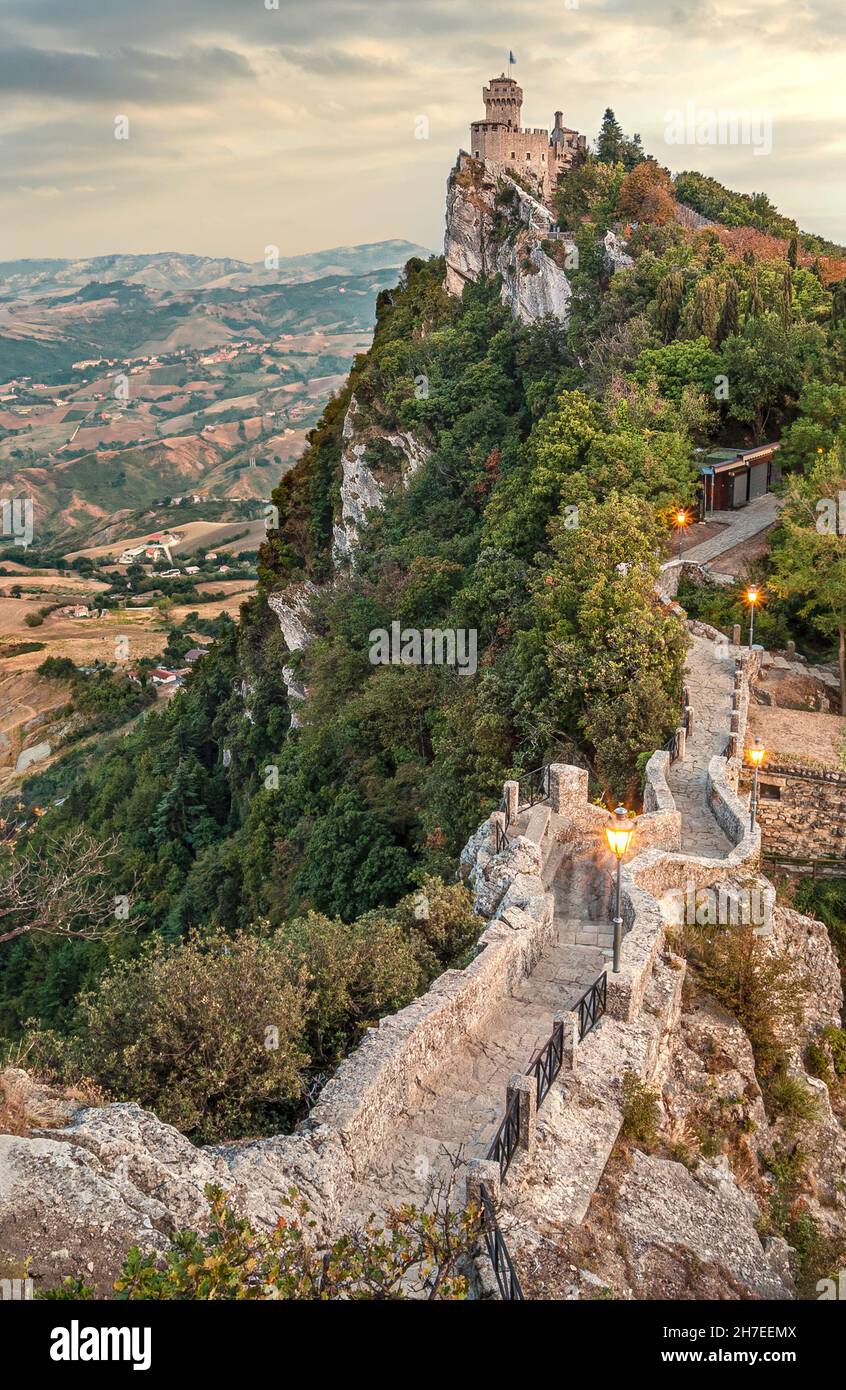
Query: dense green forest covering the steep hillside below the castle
[[285, 867]]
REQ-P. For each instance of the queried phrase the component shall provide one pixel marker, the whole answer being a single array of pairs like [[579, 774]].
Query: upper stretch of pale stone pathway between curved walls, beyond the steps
[[711, 682]]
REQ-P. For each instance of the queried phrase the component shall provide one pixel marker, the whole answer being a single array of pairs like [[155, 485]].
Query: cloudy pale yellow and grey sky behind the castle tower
[[258, 123]]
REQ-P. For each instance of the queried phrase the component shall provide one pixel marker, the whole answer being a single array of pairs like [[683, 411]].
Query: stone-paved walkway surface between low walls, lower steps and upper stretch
[[456, 1117]]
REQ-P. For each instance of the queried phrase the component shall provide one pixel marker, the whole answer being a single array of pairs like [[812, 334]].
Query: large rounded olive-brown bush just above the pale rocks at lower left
[[208, 1033]]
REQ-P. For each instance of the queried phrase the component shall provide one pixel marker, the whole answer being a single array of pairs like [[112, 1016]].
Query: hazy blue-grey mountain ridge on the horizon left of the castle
[[177, 272]]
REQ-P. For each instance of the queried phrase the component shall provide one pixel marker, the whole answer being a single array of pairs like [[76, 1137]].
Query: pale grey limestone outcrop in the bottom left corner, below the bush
[[76, 1199]]
